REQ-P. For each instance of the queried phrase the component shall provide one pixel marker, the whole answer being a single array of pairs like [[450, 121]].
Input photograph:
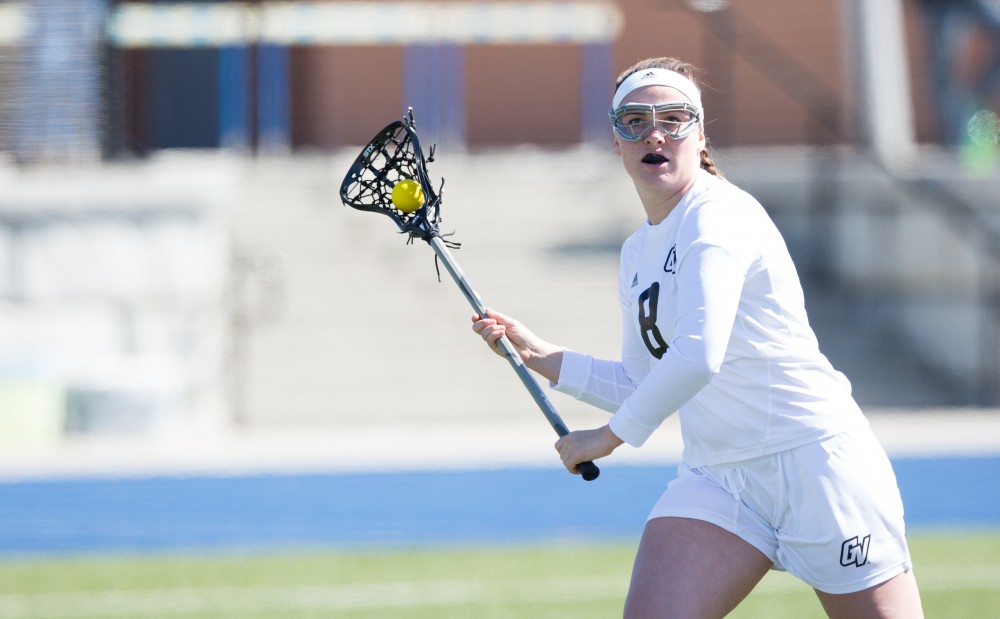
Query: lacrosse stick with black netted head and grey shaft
[[393, 156]]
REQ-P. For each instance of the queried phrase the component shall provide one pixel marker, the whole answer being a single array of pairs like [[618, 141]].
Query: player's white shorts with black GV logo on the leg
[[829, 512]]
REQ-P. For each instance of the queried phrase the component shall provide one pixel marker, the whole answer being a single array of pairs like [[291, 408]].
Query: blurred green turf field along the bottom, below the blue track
[[959, 576]]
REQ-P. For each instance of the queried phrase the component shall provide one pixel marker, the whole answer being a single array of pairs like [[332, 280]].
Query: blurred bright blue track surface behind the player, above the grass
[[404, 508]]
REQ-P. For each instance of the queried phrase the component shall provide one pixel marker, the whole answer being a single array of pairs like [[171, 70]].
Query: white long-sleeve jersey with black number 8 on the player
[[714, 326]]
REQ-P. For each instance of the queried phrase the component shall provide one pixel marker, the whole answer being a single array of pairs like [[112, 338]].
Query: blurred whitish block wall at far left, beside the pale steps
[[113, 311]]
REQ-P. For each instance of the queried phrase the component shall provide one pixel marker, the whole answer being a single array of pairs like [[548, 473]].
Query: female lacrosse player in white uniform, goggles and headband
[[780, 469]]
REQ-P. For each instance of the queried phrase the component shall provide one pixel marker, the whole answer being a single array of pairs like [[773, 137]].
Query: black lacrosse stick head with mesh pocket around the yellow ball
[[392, 156]]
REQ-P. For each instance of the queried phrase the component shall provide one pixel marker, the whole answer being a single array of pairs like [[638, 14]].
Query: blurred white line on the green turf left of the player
[[189, 600]]
